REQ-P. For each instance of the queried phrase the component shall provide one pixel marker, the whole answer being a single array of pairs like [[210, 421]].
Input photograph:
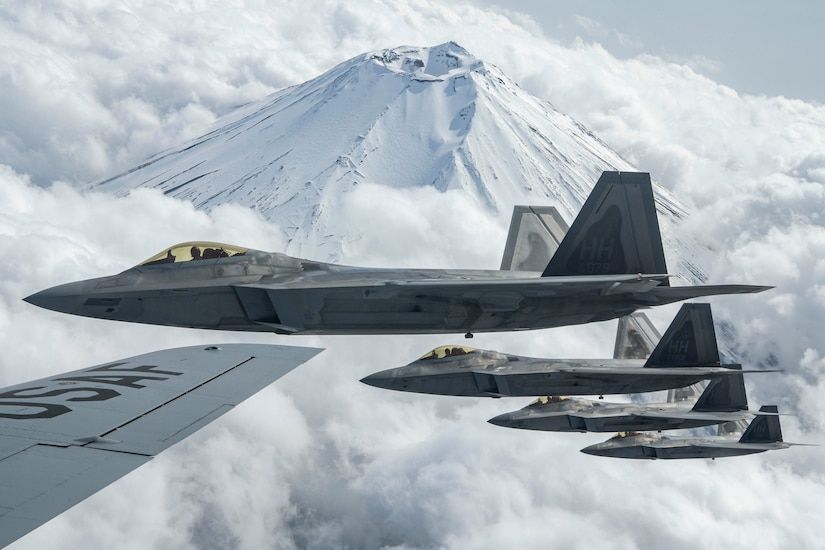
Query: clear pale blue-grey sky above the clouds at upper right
[[755, 47]]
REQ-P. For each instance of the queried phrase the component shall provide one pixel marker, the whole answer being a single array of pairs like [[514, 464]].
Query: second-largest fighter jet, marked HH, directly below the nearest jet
[[685, 355]]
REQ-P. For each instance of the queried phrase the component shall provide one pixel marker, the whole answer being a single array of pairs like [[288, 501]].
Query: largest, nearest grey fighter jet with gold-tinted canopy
[[610, 263]]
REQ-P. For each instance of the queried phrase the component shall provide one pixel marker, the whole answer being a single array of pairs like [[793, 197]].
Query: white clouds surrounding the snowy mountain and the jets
[[320, 460]]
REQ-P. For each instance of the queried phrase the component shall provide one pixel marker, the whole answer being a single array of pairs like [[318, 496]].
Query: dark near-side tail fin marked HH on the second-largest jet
[[689, 341]]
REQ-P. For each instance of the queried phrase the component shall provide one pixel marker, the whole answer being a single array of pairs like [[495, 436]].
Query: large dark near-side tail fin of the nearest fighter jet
[[615, 233]]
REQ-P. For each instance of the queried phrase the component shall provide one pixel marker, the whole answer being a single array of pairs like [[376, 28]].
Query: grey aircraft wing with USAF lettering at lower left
[[65, 437]]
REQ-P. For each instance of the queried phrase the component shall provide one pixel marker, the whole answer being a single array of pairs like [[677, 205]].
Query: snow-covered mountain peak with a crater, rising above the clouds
[[403, 117]]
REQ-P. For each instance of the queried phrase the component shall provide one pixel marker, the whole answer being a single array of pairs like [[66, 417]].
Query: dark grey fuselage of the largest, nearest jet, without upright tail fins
[[271, 292]]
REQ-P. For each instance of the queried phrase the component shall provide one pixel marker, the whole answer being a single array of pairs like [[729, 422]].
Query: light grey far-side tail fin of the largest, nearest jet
[[535, 234]]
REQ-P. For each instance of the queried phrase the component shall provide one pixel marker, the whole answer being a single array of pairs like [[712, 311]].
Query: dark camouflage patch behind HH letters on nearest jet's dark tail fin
[[600, 252]]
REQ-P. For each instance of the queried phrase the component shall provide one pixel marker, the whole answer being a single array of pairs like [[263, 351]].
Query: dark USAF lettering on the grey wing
[[50, 410]]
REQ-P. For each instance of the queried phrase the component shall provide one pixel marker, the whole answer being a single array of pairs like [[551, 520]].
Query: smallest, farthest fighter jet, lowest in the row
[[763, 434]]
